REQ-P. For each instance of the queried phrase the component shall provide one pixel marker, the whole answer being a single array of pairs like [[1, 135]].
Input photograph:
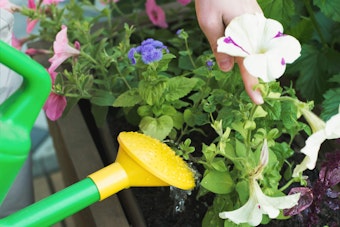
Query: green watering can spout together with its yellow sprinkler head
[[141, 161]]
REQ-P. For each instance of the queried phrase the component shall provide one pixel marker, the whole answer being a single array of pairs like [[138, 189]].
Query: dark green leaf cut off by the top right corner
[[331, 8]]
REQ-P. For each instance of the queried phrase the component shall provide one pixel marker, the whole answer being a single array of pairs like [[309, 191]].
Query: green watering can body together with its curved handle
[[19, 112]]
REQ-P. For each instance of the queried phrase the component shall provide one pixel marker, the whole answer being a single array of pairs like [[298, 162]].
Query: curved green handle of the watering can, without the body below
[[23, 106]]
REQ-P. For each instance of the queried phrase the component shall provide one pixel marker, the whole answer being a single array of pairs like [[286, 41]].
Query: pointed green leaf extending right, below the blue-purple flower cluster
[[178, 87]]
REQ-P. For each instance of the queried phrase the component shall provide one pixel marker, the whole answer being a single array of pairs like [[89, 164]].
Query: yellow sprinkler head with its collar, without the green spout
[[142, 161]]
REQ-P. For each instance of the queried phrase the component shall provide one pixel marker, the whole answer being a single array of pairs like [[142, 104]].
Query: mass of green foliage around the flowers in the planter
[[184, 97]]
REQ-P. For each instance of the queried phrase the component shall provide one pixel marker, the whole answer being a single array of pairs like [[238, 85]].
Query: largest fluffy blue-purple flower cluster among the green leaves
[[150, 50]]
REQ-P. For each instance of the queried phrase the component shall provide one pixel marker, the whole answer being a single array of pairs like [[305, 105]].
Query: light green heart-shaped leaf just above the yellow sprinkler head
[[158, 128]]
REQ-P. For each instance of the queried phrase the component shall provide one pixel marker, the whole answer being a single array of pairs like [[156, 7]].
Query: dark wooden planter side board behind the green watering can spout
[[78, 157]]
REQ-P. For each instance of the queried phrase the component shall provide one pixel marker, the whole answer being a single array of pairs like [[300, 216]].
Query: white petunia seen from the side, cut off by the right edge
[[321, 132]]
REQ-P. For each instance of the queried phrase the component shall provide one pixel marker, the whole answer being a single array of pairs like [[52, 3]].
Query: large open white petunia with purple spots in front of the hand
[[266, 50]]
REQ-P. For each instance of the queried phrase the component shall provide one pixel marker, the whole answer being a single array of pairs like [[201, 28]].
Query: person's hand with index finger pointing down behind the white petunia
[[213, 16]]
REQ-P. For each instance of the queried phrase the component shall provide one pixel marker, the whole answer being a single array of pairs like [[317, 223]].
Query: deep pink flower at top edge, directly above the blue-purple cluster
[[155, 14]]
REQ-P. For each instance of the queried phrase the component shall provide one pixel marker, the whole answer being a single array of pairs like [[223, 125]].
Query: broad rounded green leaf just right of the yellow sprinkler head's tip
[[218, 182]]
